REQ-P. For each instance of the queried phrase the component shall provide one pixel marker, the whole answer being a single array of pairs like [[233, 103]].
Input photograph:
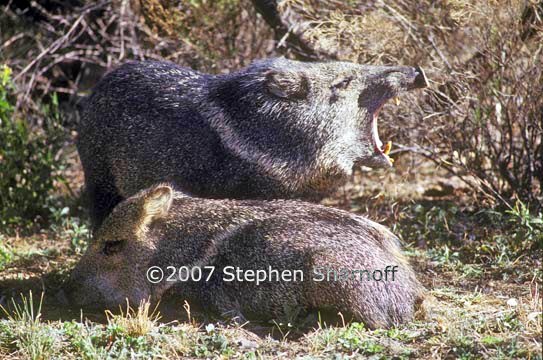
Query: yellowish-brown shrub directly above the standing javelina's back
[[211, 35]]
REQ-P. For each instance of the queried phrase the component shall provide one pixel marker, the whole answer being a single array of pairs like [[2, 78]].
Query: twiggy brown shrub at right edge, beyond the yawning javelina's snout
[[497, 138]]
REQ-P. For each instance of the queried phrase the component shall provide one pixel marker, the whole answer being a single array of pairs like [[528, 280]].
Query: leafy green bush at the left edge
[[29, 161]]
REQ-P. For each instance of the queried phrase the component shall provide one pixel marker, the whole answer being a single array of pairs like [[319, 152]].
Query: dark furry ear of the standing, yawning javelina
[[287, 84]]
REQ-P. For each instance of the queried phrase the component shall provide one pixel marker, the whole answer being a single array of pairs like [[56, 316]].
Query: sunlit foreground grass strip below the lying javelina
[[469, 325]]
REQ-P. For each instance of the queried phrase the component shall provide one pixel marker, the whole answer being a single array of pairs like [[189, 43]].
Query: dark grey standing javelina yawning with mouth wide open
[[277, 129]]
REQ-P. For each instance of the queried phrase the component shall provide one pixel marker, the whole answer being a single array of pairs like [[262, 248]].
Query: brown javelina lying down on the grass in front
[[159, 227]]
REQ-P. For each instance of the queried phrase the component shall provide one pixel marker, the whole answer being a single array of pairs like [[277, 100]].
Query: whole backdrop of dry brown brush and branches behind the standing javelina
[[481, 119]]
